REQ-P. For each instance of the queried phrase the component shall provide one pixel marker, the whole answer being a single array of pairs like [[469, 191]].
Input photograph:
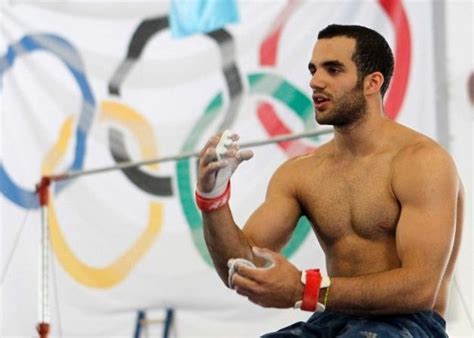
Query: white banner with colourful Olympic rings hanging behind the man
[[85, 85]]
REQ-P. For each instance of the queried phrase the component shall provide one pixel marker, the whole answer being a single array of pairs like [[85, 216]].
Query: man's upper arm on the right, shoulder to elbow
[[427, 192]]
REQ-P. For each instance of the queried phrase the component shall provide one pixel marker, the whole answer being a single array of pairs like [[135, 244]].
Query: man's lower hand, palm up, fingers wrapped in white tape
[[275, 286]]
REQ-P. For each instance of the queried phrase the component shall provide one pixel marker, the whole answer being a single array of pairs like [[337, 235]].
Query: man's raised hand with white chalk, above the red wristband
[[217, 166]]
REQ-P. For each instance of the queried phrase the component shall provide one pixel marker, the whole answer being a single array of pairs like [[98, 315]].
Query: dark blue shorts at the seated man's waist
[[426, 324]]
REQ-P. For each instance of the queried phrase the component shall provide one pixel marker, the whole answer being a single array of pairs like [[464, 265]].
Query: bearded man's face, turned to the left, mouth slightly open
[[337, 92]]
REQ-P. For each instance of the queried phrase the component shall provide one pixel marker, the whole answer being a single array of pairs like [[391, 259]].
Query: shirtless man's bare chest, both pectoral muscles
[[351, 200]]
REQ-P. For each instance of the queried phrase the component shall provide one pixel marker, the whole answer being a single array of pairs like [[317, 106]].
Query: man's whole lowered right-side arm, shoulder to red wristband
[[425, 183]]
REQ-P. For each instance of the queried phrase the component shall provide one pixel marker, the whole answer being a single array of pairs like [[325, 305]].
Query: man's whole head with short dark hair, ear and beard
[[349, 74]]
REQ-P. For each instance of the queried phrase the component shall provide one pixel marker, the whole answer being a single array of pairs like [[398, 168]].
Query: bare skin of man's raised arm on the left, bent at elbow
[[269, 226]]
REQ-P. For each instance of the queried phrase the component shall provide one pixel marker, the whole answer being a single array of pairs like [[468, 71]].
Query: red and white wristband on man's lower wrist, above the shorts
[[313, 281]]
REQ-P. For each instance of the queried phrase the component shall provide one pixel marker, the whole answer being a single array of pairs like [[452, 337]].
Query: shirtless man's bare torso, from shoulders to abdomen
[[354, 210]]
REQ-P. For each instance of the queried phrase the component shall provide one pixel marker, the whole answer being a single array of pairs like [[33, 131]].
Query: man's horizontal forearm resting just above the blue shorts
[[400, 290]]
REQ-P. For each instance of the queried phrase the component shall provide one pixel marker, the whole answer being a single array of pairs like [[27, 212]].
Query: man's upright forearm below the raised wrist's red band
[[224, 240]]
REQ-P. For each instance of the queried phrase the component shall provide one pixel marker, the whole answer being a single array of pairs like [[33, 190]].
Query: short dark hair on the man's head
[[372, 52]]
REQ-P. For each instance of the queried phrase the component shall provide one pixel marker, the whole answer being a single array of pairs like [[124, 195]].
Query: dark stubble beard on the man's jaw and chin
[[350, 110]]
